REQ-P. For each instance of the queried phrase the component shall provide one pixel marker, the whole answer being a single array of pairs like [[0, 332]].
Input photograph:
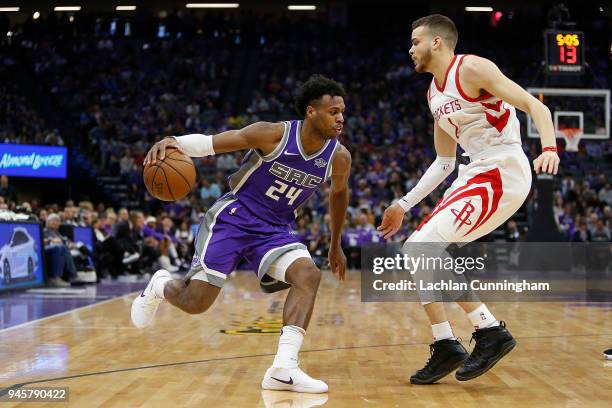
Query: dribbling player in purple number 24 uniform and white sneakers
[[286, 163]]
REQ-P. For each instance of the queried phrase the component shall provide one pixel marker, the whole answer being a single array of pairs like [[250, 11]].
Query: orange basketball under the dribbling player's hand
[[172, 178]]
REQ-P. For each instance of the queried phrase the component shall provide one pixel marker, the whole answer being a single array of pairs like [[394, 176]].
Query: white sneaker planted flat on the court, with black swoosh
[[291, 379]]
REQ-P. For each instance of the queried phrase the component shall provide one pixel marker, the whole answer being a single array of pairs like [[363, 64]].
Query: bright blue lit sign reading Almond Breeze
[[33, 161]]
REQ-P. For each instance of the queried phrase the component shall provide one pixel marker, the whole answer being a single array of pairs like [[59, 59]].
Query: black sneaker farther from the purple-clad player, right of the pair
[[492, 344]]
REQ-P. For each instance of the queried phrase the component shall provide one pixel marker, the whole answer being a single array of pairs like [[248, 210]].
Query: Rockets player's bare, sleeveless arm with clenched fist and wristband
[[479, 73]]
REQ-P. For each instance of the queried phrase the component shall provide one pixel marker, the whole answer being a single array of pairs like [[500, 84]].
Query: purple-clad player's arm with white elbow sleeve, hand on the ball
[[260, 135]]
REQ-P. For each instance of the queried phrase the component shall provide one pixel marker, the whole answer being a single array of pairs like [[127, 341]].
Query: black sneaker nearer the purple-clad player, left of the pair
[[446, 356]]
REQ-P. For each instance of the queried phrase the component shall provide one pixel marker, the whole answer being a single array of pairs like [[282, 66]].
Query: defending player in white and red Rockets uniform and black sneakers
[[473, 104]]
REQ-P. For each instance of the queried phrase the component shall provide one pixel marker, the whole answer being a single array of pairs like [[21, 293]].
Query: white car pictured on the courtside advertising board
[[19, 257]]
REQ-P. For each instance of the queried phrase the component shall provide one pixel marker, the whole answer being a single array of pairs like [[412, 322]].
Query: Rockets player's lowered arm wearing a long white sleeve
[[446, 150]]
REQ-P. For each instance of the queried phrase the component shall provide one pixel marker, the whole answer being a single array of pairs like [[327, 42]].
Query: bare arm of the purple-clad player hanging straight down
[[338, 203]]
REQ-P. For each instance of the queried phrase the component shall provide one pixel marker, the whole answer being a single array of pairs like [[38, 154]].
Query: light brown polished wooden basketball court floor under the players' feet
[[365, 351]]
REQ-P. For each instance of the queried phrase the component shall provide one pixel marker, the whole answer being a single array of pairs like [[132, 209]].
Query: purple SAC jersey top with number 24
[[272, 187]]
